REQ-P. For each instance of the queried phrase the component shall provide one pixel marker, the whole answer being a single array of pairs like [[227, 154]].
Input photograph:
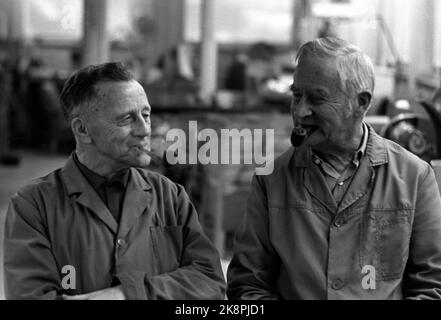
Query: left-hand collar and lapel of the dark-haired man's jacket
[[83, 193]]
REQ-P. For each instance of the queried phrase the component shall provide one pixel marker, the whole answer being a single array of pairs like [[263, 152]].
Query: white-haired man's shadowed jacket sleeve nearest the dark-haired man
[[255, 264]]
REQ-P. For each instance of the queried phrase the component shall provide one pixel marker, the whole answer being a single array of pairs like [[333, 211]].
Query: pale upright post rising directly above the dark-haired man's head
[[95, 41]]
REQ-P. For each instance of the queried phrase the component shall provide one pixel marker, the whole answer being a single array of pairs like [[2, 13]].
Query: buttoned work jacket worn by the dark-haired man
[[158, 250]]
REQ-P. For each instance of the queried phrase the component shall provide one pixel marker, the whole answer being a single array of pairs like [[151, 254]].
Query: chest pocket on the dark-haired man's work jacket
[[167, 244]]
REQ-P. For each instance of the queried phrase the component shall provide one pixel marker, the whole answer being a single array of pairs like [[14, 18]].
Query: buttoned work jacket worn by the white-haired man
[[382, 242]]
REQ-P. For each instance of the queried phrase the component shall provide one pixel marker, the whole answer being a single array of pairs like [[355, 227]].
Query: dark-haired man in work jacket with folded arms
[[103, 226]]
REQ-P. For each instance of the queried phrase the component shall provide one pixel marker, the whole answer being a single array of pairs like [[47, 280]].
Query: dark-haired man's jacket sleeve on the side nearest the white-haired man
[[200, 274]]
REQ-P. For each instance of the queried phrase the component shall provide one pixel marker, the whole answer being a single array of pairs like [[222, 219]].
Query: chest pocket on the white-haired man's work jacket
[[384, 242]]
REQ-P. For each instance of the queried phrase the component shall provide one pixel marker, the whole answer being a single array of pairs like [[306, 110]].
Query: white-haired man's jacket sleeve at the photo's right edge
[[422, 279]]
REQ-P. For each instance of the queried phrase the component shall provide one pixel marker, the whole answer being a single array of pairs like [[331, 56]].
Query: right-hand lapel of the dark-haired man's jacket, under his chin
[[137, 199]]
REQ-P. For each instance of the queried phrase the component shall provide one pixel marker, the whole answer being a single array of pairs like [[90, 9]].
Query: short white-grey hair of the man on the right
[[355, 68]]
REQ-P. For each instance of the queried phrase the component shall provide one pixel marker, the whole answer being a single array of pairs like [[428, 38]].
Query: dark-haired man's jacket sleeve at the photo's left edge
[[30, 270]]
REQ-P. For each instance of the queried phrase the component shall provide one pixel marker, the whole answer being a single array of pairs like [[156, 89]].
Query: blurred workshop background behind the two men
[[225, 63]]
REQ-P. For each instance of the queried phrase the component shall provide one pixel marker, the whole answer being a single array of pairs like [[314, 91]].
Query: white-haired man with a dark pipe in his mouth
[[346, 214]]
